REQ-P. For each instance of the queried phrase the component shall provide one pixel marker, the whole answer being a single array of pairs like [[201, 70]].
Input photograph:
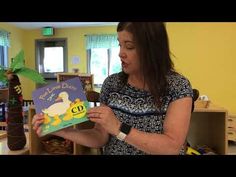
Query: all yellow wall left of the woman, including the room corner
[[25, 39]]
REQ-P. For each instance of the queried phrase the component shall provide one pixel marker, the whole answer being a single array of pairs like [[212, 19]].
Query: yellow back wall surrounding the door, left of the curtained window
[[75, 43]]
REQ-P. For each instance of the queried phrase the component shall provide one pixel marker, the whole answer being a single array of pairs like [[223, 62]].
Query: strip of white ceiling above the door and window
[[39, 25]]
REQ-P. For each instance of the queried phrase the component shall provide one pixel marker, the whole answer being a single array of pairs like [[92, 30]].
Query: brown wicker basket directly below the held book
[[58, 146]]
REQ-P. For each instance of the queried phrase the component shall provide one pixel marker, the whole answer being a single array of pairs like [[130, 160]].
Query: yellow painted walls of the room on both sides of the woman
[[204, 53]]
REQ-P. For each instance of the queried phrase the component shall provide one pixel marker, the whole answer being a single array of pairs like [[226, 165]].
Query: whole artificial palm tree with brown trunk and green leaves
[[16, 139]]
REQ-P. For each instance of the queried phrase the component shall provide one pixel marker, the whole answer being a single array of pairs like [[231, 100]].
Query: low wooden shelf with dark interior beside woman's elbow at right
[[208, 127]]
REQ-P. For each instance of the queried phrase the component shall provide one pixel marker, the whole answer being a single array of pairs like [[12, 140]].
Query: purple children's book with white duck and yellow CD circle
[[63, 104]]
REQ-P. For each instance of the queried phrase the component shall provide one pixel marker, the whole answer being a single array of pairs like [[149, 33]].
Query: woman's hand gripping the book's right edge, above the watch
[[104, 116]]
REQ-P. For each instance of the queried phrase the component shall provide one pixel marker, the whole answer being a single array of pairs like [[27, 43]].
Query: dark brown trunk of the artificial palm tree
[[16, 139]]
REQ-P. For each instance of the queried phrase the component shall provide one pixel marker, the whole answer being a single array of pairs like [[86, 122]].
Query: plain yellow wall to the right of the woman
[[205, 53]]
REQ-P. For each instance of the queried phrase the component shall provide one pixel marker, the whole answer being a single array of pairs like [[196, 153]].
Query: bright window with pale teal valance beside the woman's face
[[103, 57]]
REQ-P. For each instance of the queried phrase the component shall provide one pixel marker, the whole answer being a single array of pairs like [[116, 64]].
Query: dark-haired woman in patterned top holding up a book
[[146, 108]]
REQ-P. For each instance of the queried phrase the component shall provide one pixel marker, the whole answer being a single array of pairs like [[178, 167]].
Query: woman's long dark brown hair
[[153, 49]]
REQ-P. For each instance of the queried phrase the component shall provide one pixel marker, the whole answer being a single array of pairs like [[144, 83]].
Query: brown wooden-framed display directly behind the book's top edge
[[86, 79]]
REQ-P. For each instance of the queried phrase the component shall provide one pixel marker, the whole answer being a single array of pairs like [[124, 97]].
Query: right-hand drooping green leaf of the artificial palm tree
[[31, 74]]
